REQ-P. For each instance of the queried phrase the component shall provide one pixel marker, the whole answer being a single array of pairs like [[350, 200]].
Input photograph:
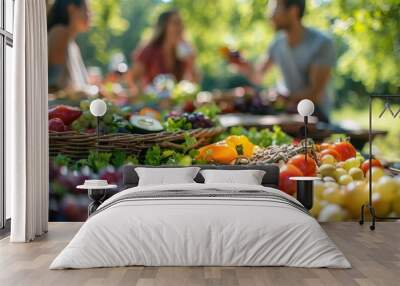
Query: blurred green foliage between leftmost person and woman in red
[[116, 26]]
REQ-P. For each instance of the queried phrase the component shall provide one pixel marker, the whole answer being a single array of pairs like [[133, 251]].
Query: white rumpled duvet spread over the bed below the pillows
[[200, 231]]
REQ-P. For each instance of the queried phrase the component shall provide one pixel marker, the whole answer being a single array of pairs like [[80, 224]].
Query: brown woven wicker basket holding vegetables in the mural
[[77, 145]]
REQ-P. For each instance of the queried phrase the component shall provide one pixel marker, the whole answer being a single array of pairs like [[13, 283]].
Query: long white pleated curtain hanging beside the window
[[26, 124]]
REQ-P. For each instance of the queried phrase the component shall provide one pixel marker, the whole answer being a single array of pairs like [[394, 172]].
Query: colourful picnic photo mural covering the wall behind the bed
[[157, 108]]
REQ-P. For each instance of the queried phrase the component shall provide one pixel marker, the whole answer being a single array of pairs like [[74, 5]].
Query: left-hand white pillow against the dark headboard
[[166, 176]]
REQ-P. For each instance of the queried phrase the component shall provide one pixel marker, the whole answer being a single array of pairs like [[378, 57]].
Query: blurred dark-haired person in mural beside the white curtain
[[66, 19]]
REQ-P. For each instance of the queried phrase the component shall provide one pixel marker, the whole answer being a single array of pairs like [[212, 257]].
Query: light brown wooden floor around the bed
[[375, 257]]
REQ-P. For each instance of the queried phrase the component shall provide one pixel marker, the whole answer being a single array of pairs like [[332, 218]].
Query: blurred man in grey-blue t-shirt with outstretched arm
[[304, 55]]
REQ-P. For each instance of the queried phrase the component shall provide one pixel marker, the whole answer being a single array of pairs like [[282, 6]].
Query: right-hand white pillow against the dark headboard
[[247, 177]]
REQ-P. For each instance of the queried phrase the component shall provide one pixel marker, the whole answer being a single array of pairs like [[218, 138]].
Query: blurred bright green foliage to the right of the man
[[371, 31]]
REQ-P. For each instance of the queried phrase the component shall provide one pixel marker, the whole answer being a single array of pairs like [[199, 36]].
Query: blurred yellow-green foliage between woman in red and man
[[213, 24]]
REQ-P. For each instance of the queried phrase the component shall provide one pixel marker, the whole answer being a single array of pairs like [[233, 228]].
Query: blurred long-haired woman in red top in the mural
[[166, 53]]
